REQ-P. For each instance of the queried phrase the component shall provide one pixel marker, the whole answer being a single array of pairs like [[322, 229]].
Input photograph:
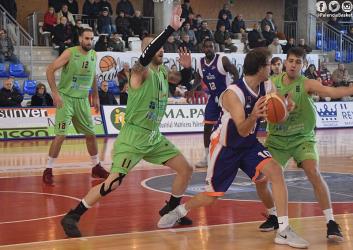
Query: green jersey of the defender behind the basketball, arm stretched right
[[302, 119]]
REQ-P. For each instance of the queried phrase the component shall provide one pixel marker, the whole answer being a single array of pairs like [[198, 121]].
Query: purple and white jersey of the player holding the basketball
[[226, 130]]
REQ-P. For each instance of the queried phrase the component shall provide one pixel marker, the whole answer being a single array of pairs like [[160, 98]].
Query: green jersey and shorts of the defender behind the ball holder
[[296, 136]]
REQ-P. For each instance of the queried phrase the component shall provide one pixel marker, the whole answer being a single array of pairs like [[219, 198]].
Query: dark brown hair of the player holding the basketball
[[256, 59]]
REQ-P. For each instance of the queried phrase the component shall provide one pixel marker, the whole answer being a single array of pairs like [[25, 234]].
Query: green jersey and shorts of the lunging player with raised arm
[[140, 137]]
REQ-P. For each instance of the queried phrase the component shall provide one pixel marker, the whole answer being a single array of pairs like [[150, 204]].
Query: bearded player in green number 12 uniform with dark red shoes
[[71, 101]]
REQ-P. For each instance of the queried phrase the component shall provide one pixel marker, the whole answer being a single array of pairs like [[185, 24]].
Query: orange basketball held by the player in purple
[[276, 108]]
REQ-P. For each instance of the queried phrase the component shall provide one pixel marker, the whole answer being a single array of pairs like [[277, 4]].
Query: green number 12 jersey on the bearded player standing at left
[[78, 74]]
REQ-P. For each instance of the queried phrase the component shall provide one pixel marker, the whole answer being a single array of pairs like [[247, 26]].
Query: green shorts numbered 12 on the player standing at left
[[76, 110]]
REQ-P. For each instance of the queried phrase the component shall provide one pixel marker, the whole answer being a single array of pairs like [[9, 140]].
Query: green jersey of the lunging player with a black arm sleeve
[[146, 105]]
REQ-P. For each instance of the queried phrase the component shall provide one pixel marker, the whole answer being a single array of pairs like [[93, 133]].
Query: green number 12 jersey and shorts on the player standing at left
[[76, 80]]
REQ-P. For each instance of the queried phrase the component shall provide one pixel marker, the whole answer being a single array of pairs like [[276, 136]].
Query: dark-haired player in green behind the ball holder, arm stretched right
[[296, 138]]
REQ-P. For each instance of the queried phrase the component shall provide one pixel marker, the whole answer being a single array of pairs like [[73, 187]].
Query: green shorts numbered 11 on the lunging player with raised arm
[[135, 143]]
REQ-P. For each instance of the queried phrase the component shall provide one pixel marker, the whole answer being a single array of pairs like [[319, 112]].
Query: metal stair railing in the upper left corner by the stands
[[20, 38]]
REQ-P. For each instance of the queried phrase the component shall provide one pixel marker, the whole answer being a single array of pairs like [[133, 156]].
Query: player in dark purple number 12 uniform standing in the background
[[213, 70]]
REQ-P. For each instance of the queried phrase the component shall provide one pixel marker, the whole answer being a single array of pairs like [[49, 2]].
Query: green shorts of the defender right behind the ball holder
[[300, 148]]
